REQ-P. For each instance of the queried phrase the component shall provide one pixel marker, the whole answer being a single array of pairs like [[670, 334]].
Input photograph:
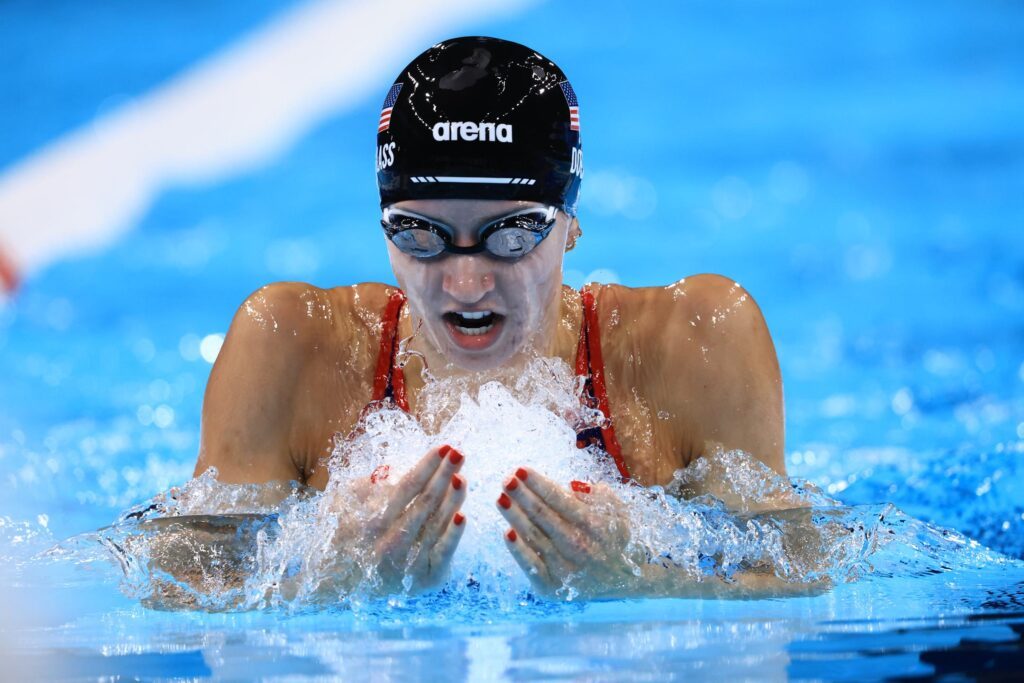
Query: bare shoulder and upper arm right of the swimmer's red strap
[[711, 362]]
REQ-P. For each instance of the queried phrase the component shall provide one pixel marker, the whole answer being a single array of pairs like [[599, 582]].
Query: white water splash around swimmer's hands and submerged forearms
[[723, 521]]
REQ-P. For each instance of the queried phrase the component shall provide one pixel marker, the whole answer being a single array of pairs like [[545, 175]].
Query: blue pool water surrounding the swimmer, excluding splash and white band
[[860, 170]]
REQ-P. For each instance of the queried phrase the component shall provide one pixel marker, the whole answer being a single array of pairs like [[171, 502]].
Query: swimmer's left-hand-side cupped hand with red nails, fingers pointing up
[[417, 529]]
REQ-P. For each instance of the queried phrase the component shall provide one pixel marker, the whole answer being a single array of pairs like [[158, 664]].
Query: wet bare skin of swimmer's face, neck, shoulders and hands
[[690, 367]]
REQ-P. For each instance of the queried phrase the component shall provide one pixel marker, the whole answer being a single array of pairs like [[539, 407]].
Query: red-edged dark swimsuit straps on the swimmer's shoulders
[[390, 379]]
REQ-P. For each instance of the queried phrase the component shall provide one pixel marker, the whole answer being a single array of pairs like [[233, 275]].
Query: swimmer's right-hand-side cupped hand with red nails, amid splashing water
[[576, 537]]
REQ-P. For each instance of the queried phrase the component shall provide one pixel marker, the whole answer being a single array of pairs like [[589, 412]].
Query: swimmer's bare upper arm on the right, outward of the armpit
[[732, 389]]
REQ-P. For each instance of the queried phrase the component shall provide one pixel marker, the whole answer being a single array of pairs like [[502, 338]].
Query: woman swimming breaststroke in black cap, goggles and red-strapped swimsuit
[[480, 165]]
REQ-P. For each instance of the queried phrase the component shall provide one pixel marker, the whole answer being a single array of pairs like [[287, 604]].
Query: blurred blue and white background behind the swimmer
[[859, 168]]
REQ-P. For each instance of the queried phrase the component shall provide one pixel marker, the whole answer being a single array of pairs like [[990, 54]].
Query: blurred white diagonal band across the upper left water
[[241, 108]]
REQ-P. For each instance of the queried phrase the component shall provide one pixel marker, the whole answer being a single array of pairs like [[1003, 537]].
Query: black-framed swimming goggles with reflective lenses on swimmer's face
[[508, 238]]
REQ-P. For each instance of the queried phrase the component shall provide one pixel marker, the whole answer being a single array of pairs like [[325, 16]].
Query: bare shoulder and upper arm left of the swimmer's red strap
[[293, 360]]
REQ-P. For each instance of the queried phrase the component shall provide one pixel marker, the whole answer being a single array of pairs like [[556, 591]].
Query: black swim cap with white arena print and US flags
[[481, 118]]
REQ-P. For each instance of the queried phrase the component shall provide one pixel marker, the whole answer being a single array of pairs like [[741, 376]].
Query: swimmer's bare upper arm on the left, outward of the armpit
[[248, 408]]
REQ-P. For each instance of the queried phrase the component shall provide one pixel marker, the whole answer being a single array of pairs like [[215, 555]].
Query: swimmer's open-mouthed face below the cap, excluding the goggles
[[479, 312]]
